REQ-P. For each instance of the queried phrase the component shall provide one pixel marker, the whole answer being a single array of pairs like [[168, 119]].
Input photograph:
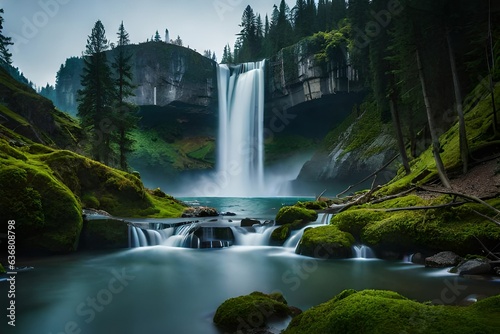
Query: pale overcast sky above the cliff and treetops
[[46, 32]]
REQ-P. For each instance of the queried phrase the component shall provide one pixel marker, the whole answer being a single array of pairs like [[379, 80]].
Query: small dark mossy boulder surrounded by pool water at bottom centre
[[246, 313]]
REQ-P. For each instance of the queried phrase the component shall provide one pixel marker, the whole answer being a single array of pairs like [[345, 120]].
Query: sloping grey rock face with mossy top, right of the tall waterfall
[[355, 149]]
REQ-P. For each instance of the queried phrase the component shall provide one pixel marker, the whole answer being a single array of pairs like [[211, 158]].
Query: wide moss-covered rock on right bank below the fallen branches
[[445, 229]]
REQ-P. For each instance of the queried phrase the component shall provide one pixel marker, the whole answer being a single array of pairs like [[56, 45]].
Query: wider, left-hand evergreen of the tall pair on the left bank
[[96, 98]]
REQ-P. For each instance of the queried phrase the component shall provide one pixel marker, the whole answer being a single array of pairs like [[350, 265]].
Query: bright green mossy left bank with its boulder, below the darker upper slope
[[44, 190]]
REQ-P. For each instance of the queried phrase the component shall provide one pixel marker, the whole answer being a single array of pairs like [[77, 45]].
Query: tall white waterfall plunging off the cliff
[[240, 157]]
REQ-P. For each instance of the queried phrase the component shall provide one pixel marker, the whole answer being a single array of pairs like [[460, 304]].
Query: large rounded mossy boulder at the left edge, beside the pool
[[48, 216]]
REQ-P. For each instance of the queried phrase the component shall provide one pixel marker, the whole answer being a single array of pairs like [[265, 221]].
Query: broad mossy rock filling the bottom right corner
[[372, 311]]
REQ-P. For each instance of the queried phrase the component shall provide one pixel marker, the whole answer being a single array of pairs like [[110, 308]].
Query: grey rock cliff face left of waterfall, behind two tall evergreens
[[162, 73]]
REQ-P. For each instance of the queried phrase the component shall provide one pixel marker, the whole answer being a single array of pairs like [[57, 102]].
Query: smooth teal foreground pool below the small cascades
[[173, 290]]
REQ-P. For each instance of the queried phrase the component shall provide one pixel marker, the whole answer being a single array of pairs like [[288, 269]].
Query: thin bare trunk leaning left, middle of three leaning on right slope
[[434, 136]]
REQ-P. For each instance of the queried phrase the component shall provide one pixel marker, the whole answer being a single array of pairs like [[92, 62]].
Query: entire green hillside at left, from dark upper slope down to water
[[44, 186]]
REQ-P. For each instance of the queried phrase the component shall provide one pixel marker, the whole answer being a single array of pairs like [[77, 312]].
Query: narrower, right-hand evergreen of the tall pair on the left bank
[[126, 121]]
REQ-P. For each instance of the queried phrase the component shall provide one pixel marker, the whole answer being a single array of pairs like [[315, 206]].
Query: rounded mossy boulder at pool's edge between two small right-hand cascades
[[326, 242]]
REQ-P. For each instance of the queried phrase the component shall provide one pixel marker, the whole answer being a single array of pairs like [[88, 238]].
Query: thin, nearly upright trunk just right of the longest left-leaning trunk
[[464, 146]]
